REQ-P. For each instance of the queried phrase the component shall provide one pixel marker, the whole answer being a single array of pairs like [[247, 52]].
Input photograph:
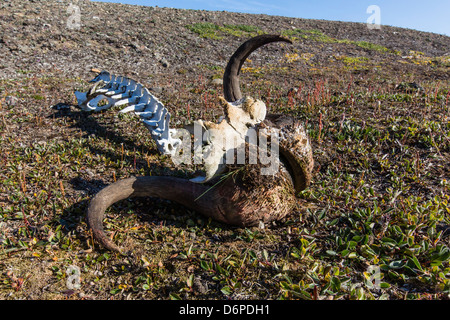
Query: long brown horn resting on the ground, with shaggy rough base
[[235, 200]]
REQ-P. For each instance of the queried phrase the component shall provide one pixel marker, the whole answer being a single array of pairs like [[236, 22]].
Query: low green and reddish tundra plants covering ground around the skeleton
[[378, 118]]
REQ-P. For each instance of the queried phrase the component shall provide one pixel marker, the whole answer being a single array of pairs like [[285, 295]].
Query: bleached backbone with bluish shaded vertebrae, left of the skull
[[121, 91]]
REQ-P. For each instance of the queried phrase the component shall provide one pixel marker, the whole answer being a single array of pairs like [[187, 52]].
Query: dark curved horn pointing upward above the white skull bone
[[231, 89]]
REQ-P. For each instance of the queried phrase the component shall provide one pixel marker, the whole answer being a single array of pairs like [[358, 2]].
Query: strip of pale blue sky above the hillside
[[431, 15]]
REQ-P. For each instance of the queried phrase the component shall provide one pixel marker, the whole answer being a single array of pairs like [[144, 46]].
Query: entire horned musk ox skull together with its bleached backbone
[[244, 196]]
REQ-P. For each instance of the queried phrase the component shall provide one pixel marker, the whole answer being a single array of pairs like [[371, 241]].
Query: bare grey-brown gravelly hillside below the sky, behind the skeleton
[[149, 41]]
